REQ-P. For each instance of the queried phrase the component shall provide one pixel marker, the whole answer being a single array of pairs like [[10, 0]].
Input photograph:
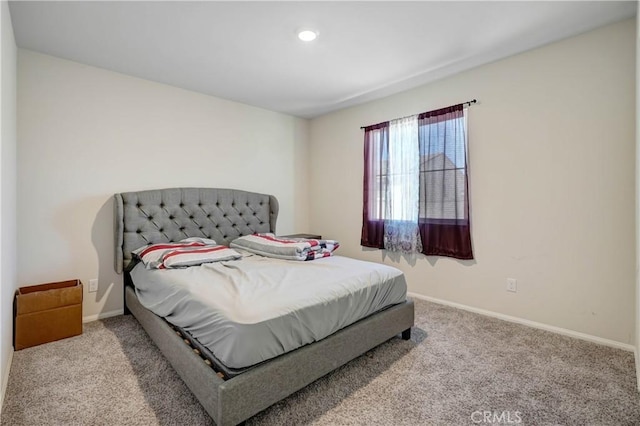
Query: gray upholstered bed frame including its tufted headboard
[[167, 215]]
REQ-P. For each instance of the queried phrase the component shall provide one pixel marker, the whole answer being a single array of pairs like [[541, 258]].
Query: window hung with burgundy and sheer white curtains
[[415, 185]]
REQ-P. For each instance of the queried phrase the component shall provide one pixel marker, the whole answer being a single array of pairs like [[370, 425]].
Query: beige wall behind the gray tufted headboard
[[86, 133]]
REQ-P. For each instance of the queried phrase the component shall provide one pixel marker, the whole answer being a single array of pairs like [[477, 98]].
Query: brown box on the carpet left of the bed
[[47, 312]]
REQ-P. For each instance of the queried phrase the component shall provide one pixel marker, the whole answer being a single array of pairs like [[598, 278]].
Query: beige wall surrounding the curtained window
[[552, 184]]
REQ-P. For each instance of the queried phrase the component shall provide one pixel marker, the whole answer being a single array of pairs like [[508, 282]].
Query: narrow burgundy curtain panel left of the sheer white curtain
[[376, 148]]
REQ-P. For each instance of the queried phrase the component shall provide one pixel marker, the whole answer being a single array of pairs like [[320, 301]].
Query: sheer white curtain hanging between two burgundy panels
[[401, 231]]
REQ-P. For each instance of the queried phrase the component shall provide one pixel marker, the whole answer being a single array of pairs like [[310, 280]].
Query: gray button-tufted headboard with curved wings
[[167, 215]]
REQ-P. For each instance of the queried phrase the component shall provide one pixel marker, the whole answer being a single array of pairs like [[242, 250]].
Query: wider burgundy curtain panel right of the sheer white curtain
[[444, 202]]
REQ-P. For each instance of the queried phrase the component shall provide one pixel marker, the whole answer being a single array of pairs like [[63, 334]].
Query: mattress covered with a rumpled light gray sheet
[[250, 310]]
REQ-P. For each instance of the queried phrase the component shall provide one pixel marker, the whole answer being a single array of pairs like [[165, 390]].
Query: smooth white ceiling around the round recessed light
[[248, 51]]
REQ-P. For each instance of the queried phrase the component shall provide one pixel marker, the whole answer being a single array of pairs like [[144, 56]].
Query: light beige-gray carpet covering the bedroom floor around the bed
[[456, 364]]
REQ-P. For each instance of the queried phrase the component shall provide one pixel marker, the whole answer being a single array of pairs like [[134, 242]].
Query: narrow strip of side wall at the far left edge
[[8, 274]]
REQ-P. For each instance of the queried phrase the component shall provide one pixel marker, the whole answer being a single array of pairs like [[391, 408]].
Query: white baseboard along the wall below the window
[[541, 326]]
